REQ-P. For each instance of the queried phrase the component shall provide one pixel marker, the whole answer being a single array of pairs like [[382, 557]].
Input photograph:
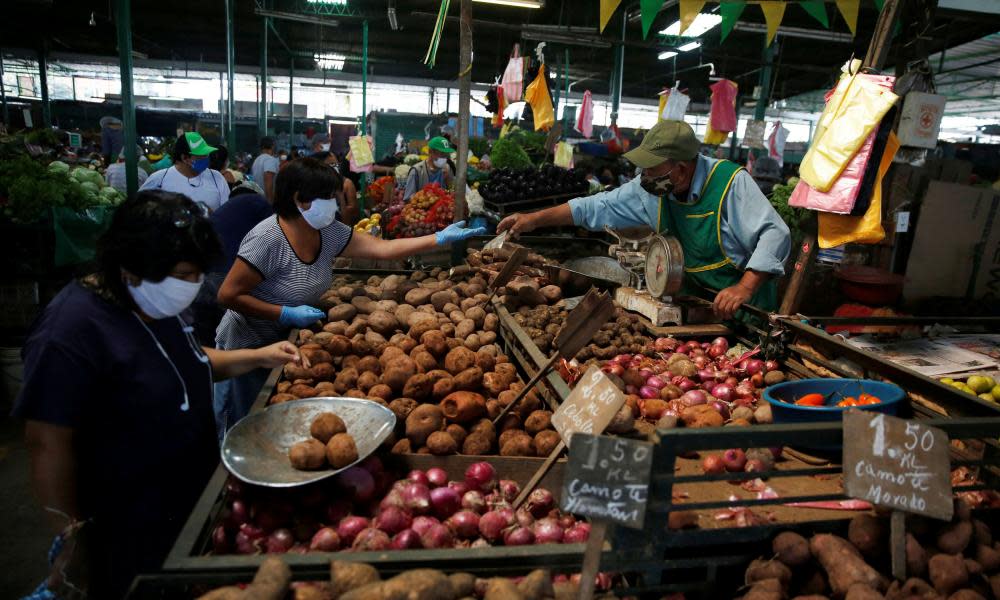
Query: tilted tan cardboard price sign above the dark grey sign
[[590, 406]]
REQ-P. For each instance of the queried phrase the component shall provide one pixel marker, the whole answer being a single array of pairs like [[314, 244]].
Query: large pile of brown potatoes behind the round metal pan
[[423, 346]]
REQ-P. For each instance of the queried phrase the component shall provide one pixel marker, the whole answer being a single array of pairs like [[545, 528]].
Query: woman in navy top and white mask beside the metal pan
[[117, 399]]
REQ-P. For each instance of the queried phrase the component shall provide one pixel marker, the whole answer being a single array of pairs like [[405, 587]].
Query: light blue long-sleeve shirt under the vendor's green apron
[[753, 235]]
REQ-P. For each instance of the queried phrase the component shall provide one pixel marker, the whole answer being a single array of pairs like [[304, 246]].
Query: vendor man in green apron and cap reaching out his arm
[[733, 239]]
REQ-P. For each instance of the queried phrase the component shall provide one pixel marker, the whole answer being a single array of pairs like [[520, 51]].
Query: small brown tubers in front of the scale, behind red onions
[[623, 334]]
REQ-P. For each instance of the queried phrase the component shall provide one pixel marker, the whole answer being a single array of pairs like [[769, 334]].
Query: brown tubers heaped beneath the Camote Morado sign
[[953, 561]]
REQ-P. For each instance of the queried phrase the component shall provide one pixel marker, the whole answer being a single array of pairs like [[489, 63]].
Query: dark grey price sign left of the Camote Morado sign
[[608, 479]]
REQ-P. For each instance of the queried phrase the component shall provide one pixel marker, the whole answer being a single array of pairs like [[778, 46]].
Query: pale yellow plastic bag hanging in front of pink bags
[[857, 105]]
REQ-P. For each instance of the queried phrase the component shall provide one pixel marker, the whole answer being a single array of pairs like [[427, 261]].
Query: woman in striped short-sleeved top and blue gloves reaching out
[[283, 266]]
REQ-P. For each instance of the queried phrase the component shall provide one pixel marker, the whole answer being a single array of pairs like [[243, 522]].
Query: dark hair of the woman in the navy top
[[149, 234]]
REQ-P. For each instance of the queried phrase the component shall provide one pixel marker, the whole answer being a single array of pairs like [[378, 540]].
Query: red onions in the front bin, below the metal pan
[[373, 512]]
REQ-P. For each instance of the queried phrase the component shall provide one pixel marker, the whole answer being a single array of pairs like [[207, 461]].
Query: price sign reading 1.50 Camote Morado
[[897, 463]]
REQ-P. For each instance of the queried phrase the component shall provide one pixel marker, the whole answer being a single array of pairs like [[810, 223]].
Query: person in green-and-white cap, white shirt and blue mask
[[191, 175]]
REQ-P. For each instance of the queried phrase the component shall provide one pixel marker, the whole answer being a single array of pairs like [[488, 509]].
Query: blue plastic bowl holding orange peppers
[[782, 398]]
